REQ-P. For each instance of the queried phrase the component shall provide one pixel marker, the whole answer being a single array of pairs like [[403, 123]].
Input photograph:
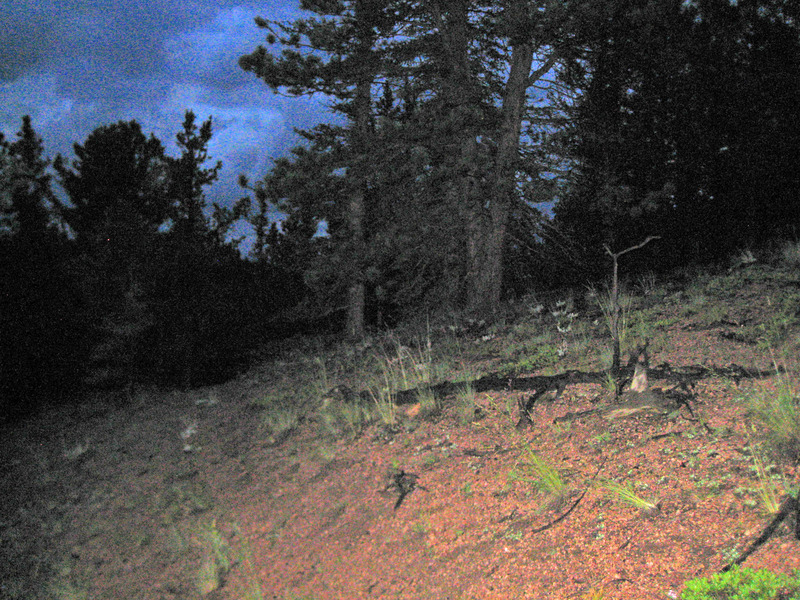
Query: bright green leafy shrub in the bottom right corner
[[744, 584]]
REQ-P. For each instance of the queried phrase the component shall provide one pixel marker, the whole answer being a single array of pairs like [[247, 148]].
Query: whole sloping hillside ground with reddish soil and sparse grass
[[280, 483]]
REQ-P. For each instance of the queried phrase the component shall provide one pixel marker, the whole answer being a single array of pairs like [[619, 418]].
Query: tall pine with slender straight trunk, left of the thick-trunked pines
[[347, 34]]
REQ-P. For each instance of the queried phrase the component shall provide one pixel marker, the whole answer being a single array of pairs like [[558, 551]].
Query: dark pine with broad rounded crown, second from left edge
[[117, 189]]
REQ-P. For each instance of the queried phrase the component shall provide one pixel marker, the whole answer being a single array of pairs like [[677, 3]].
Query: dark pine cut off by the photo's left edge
[[40, 343]]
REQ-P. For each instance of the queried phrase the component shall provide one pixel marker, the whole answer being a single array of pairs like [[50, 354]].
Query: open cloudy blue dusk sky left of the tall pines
[[74, 65]]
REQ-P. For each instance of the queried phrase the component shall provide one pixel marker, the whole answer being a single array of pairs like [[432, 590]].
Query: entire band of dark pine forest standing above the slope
[[481, 151]]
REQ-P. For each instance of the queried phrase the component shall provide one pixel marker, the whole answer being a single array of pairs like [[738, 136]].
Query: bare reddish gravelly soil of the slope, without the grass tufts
[[106, 502]]
